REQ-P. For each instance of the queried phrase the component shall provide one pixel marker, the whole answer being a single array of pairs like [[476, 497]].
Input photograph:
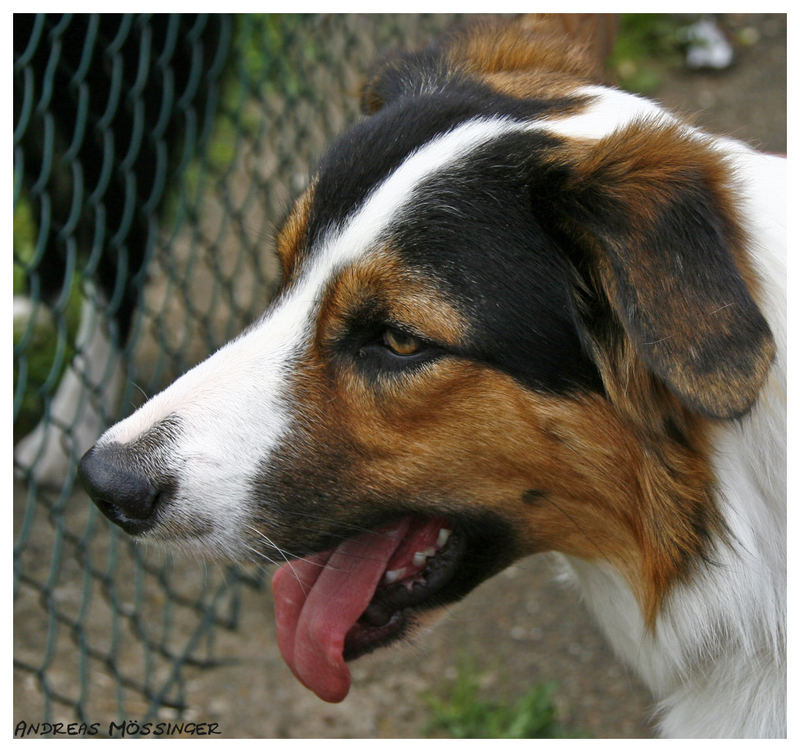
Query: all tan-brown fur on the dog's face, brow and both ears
[[624, 478]]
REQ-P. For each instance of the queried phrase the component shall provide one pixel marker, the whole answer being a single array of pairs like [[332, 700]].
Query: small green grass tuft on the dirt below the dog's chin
[[459, 712]]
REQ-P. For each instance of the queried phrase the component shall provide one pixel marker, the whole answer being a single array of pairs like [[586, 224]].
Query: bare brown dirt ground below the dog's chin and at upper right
[[523, 627]]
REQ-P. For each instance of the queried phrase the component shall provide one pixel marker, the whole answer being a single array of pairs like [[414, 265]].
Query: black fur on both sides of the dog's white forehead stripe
[[471, 227]]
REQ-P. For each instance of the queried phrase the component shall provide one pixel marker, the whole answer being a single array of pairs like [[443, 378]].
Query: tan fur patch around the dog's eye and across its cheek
[[573, 475]]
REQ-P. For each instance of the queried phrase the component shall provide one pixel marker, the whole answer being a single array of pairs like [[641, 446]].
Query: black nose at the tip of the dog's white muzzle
[[121, 490]]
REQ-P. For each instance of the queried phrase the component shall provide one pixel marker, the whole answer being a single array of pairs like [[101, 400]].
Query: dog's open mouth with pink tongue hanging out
[[364, 594]]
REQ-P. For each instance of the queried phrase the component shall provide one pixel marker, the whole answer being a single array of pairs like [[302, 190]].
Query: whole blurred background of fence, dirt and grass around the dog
[[154, 157]]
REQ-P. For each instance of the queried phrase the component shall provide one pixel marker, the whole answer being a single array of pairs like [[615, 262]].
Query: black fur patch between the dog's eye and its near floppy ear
[[474, 229]]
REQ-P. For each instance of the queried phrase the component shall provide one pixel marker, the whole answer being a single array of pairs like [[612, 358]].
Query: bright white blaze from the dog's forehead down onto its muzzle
[[247, 374]]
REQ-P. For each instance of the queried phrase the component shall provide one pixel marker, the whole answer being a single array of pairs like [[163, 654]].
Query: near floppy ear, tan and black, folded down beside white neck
[[655, 208]]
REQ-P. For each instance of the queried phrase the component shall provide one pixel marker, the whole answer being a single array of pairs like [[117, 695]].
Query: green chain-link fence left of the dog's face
[[153, 158]]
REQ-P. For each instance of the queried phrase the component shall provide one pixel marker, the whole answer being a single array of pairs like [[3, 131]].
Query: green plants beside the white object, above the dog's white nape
[[647, 45]]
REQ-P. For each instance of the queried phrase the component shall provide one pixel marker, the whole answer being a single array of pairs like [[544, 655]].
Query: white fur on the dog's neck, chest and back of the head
[[717, 659]]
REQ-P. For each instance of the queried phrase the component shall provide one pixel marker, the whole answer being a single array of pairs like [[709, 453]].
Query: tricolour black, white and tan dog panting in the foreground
[[521, 311]]
